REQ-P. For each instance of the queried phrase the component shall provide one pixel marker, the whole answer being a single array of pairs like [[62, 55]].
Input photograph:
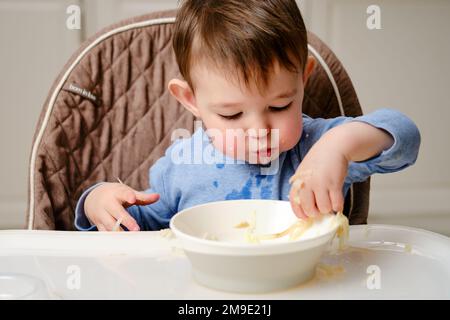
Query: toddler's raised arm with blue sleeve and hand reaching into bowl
[[349, 150]]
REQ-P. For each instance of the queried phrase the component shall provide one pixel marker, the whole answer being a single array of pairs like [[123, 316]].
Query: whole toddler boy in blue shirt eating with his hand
[[245, 65]]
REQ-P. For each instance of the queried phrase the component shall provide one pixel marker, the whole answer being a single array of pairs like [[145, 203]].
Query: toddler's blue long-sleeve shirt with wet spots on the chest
[[183, 179]]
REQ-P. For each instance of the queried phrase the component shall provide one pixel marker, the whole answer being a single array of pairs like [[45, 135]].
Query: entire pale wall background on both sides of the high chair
[[404, 66]]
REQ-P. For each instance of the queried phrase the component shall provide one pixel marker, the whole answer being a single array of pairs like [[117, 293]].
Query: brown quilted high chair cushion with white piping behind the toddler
[[121, 123]]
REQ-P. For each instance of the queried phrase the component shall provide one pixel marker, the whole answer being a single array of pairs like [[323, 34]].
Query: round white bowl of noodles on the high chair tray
[[223, 259]]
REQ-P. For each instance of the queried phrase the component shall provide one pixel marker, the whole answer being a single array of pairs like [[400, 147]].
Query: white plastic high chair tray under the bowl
[[382, 262]]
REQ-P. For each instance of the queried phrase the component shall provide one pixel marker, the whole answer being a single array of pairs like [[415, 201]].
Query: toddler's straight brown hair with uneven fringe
[[243, 36]]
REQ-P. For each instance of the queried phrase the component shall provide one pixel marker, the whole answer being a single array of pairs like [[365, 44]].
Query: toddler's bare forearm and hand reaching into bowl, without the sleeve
[[318, 182]]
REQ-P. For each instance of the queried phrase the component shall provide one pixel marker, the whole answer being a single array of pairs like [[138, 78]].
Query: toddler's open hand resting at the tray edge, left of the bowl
[[105, 205]]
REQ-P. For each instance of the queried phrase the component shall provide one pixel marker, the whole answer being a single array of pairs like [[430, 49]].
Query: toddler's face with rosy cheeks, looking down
[[264, 123]]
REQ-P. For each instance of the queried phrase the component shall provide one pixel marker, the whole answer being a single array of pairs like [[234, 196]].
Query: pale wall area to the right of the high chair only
[[405, 66]]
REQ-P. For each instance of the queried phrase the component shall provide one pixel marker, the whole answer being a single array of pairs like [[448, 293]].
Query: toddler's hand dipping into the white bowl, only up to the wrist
[[318, 181]]
